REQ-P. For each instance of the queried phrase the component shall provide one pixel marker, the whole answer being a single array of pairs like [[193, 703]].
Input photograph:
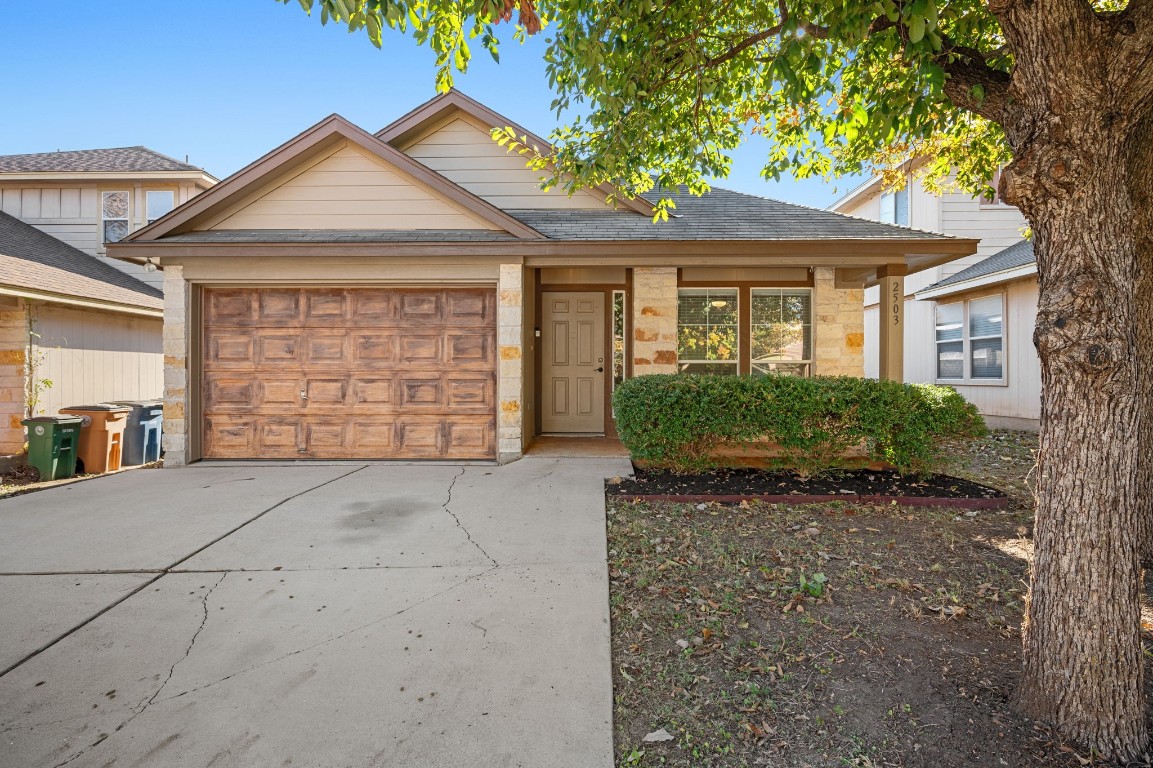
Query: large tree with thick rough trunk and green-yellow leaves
[[1058, 92]]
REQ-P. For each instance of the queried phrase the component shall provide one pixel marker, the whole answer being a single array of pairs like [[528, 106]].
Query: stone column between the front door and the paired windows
[[654, 321]]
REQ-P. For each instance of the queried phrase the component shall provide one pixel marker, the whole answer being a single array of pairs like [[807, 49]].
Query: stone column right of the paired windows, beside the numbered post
[[839, 327]]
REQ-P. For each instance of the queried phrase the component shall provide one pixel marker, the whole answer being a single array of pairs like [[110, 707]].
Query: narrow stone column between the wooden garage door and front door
[[510, 349]]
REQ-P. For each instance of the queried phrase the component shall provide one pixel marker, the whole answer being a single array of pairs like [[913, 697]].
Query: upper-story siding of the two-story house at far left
[[72, 214]]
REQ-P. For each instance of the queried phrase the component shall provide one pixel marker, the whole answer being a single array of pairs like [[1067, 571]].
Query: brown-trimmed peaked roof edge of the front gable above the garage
[[312, 142]]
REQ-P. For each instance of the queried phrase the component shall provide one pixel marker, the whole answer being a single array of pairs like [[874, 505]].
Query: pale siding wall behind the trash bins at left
[[93, 357]]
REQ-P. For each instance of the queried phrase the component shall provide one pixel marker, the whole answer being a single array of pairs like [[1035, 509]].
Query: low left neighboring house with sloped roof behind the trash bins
[[92, 330]]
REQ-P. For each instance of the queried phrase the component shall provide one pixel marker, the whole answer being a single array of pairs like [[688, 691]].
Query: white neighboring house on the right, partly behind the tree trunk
[[969, 322]]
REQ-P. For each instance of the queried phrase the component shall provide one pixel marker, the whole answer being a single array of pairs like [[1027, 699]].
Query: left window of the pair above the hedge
[[707, 340]]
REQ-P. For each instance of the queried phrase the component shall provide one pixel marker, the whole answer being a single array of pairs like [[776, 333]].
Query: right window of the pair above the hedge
[[782, 332]]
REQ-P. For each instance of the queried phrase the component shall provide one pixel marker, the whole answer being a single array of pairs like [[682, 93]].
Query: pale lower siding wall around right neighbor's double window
[[1020, 397]]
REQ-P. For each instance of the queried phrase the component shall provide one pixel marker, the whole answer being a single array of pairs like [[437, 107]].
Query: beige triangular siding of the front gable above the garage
[[350, 191]]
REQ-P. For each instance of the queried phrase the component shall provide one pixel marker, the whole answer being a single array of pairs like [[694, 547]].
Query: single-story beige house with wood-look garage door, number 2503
[[416, 293]]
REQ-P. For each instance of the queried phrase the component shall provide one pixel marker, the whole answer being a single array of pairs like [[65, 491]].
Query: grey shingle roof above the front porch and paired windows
[[720, 215]]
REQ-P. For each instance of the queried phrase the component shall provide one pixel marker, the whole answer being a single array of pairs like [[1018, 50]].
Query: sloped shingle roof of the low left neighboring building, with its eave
[[31, 259]]
